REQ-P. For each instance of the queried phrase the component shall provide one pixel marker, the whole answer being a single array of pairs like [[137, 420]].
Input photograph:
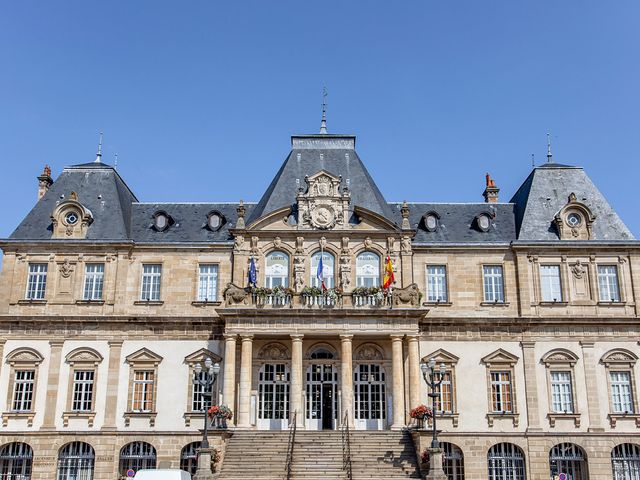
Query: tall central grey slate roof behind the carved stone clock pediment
[[311, 153]]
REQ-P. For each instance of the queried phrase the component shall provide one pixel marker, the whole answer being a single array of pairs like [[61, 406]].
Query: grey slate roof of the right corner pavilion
[[546, 190]]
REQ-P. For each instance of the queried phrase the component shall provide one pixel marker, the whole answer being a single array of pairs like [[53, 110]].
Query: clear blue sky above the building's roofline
[[199, 98]]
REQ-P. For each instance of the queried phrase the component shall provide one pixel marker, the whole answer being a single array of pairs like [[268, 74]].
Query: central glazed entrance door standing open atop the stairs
[[321, 397]]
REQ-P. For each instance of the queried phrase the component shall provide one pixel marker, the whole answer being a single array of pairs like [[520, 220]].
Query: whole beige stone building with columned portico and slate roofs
[[107, 304]]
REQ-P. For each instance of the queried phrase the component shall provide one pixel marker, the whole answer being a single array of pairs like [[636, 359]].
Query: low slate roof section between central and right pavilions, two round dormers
[[457, 222]]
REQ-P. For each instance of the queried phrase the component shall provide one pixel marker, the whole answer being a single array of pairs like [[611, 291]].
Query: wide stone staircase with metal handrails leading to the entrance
[[375, 455]]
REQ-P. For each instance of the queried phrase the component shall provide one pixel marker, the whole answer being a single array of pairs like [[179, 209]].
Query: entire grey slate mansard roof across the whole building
[[528, 217]]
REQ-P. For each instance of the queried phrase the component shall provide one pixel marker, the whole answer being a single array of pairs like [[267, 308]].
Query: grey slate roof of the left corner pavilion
[[99, 188]]
